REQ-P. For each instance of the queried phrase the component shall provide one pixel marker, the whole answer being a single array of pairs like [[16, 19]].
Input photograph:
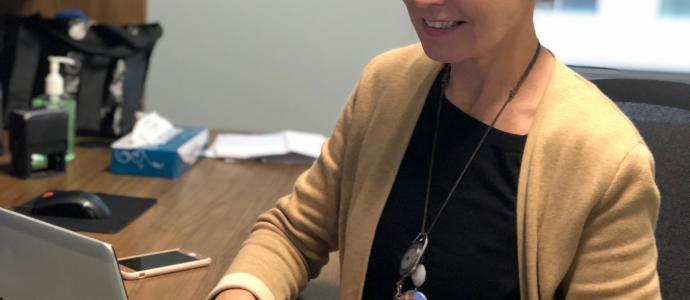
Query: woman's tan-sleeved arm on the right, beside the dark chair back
[[617, 255]]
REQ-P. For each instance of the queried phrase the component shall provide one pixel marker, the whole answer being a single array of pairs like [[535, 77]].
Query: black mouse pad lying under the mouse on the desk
[[123, 210]]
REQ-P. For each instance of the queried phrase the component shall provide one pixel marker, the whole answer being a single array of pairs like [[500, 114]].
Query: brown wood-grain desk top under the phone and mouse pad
[[210, 210]]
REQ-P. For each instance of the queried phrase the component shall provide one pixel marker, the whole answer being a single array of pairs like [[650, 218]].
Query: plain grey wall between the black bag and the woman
[[266, 65]]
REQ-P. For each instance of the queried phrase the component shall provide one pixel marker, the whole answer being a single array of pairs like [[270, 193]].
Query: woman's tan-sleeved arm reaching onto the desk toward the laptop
[[290, 243]]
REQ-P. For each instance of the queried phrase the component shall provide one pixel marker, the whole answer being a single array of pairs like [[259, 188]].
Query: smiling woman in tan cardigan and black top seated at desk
[[474, 166]]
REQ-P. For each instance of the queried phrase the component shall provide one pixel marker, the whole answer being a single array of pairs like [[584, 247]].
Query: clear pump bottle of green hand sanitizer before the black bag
[[55, 97]]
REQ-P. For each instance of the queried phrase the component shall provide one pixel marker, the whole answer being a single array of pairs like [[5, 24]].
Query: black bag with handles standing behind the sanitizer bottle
[[107, 80]]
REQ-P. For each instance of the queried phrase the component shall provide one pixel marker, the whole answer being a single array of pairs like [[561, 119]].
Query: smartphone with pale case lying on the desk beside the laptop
[[161, 262]]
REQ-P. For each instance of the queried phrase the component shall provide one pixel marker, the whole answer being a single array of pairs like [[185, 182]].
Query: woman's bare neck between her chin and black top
[[489, 78]]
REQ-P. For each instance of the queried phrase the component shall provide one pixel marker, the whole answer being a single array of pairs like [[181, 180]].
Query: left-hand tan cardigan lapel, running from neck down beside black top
[[399, 107]]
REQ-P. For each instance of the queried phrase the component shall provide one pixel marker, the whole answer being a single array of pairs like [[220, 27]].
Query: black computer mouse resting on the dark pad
[[70, 204]]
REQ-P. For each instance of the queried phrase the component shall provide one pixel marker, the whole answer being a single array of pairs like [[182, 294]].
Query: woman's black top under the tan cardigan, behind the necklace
[[472, 252]]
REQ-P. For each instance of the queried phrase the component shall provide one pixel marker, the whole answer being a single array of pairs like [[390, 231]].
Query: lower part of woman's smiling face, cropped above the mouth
[[454, 30]]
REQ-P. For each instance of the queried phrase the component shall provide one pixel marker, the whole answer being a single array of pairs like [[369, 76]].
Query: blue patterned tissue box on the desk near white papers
[[168, 159]]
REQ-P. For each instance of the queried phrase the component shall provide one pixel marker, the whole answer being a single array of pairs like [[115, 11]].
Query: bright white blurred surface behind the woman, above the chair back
[[630, 34]]
